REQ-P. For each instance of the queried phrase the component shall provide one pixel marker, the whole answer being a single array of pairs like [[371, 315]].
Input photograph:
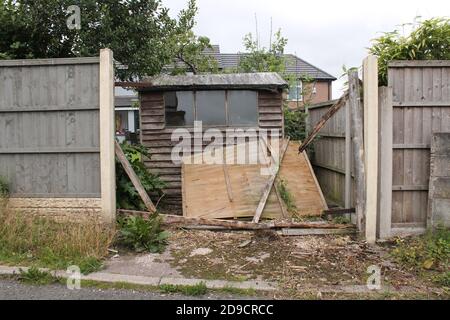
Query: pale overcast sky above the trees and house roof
[[325, 33]]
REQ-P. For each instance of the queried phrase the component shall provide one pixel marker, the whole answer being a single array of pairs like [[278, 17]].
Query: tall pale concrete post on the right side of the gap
[[370, 80]]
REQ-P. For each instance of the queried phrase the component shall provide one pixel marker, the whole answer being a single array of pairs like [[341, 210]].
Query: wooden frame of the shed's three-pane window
[[227, 114]]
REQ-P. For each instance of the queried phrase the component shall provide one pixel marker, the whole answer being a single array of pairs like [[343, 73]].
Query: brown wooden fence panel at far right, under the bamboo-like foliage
[[421, 106]]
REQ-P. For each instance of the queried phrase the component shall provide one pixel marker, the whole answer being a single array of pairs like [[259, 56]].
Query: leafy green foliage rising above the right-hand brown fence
[[429, 40]]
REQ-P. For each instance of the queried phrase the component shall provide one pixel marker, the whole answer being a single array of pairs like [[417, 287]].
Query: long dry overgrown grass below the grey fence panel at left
[[30, 240]]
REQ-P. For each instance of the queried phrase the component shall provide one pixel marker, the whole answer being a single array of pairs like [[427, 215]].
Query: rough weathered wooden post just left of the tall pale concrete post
[[354, 104]]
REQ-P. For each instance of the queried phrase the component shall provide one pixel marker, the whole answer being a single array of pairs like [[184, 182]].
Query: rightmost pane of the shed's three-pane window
[[243, 108]]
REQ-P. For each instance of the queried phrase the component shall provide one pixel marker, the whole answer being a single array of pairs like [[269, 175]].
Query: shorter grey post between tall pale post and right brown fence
[[386, 136]]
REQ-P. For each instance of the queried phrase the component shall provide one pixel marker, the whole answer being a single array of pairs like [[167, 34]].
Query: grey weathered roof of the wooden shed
[[264, 80]]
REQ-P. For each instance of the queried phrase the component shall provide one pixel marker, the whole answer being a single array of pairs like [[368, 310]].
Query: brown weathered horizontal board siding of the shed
[[157, 137]]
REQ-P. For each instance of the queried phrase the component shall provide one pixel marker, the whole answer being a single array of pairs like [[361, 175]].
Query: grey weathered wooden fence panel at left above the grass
[[49, 127]]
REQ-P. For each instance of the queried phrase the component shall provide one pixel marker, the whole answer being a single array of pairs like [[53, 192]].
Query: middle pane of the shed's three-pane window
[[211, 107]]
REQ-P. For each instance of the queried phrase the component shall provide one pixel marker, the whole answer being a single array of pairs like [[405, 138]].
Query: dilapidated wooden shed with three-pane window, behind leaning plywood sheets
[[221, 101]]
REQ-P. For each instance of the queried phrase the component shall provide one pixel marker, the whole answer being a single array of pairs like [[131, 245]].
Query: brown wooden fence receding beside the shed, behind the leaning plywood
[[328, 153]]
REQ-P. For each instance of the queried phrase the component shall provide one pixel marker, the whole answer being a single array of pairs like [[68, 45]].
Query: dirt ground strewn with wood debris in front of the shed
[[332, 267]]
